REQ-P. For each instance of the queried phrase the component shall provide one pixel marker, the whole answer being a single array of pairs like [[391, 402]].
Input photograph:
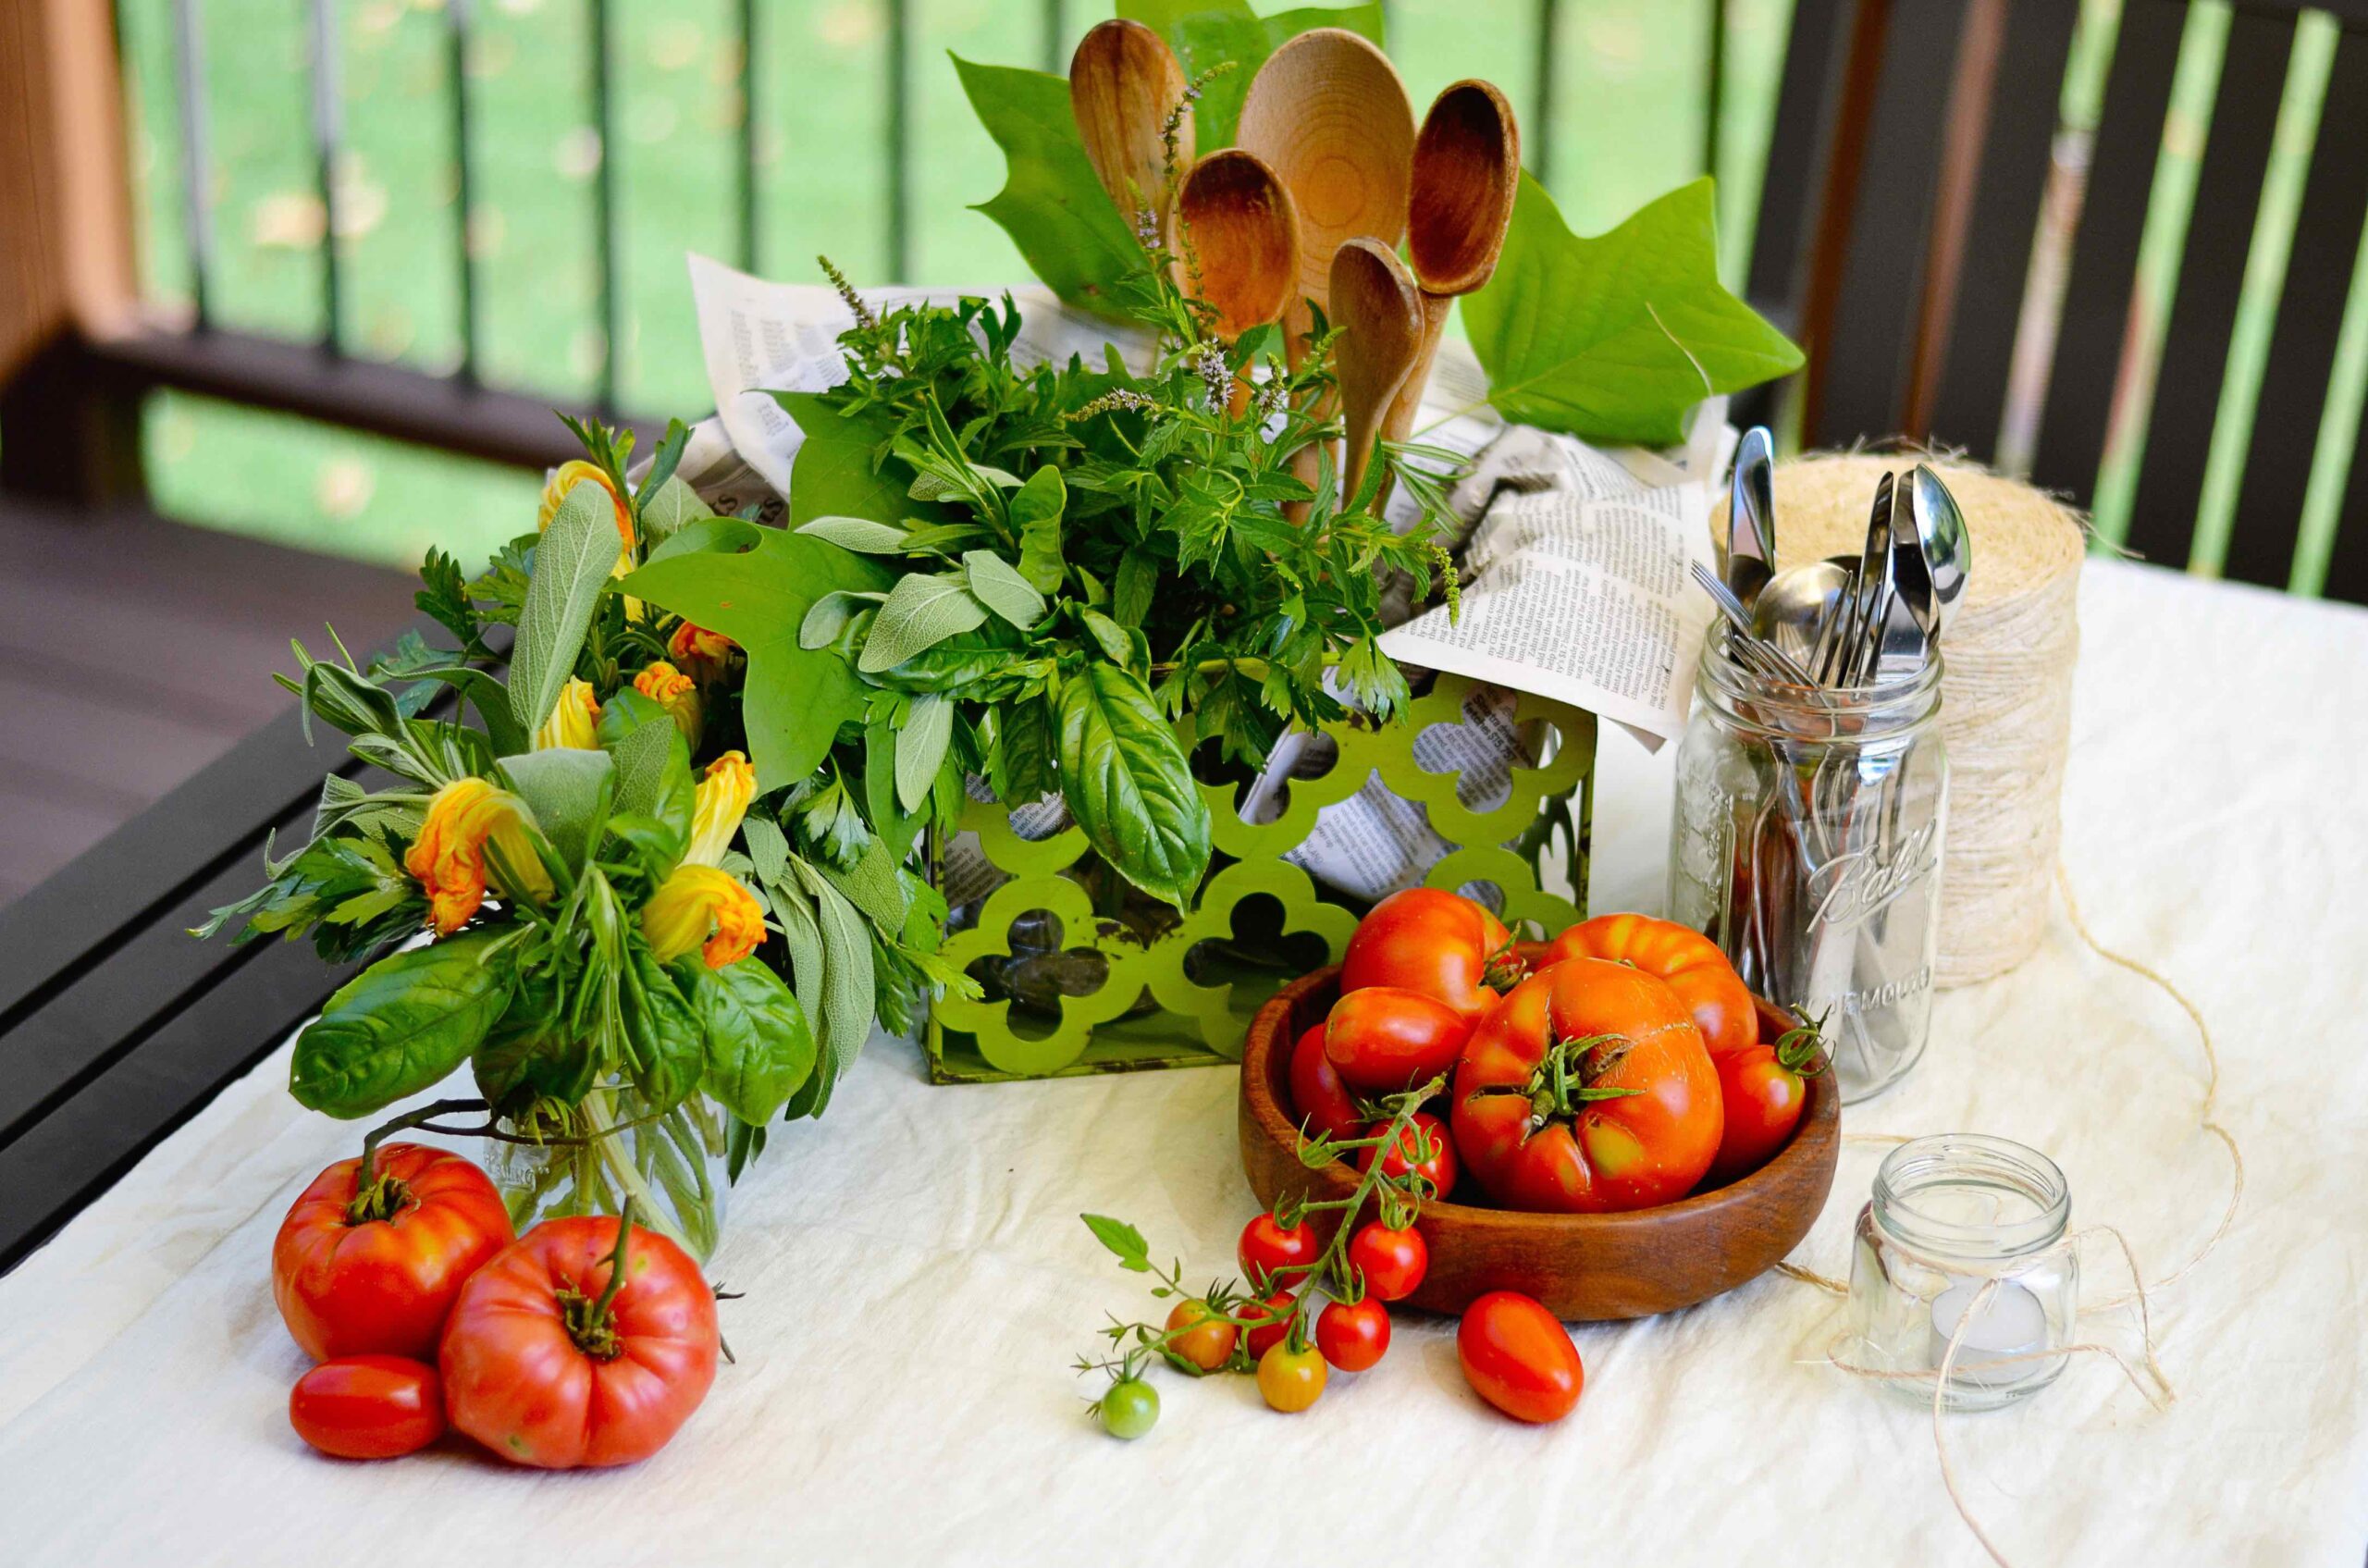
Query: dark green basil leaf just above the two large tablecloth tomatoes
[[399, 1027]]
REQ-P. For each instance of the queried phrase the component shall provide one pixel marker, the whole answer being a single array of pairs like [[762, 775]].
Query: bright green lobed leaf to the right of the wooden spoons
[[1616, 338]]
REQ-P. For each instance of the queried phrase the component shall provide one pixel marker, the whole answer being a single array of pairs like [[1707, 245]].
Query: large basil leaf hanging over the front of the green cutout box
[[1131, 788]]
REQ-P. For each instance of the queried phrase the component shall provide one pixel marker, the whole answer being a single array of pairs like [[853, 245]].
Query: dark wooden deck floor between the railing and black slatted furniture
[[134, 653]]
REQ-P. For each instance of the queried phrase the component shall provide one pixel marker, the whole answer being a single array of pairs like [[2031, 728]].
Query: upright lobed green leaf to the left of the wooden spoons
[[1055, 210]]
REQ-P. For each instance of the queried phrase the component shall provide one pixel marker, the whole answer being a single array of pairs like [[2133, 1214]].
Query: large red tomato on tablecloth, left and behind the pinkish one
[[375, 1271]]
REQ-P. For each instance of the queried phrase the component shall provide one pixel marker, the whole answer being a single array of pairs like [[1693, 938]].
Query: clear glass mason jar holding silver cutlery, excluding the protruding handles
[[1808, 844]]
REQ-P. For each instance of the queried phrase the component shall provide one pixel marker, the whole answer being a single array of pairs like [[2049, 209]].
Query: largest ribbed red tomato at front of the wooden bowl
[[1588, 1091]]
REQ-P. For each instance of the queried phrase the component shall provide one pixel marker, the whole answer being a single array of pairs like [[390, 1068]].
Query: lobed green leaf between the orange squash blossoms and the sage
[[797, 698]]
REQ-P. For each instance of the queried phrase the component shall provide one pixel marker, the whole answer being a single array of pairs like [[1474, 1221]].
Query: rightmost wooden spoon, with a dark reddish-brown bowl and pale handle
[[1467, 169]]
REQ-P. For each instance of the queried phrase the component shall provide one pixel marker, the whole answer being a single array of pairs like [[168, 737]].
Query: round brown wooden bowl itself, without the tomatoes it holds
[[1583, 1268]]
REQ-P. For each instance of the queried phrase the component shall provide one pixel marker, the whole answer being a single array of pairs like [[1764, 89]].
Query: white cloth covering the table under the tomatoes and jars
[[918, 1280]]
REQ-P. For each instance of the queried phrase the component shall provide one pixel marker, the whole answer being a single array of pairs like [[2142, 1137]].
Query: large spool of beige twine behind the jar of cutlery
[[2007, 688]]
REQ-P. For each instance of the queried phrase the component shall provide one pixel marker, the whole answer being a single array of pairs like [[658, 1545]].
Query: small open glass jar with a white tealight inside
[[1948, 1219]]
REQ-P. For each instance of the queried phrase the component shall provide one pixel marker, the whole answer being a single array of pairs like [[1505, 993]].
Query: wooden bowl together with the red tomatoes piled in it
[[1623, 1131]]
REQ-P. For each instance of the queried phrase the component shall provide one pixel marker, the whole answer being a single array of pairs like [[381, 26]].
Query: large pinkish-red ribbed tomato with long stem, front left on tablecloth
[[558, 1358]]
